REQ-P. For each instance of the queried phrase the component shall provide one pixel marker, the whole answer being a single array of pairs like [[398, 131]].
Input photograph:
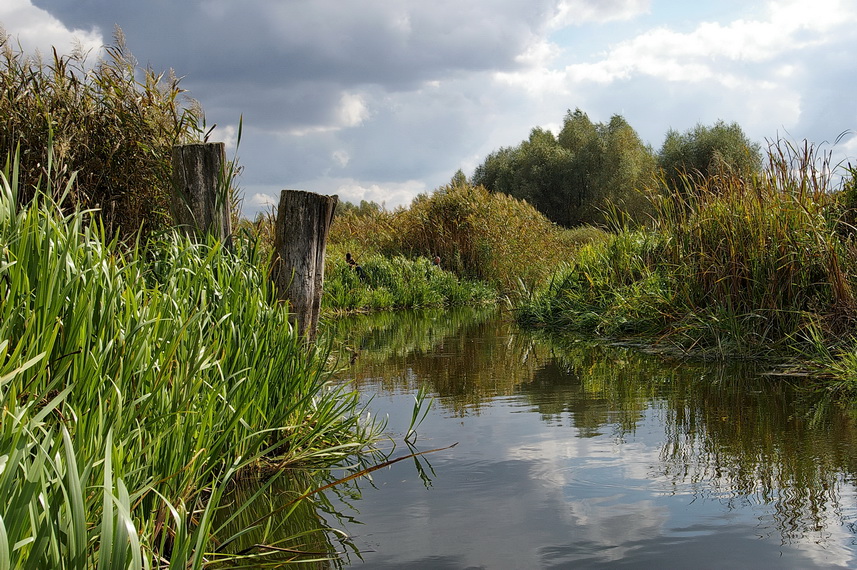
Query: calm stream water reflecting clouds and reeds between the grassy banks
[[578, 456]]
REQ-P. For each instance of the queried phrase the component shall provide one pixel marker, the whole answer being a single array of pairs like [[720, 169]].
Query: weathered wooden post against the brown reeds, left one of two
[[200, 200]]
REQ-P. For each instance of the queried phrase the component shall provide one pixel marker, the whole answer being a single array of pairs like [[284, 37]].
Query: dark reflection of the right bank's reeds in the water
[[732, 434]]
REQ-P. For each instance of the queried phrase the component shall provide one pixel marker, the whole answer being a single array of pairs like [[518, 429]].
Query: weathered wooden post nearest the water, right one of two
[[300, 239]]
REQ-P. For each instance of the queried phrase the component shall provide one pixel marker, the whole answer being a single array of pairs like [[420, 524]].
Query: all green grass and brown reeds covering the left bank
[[142, 372]]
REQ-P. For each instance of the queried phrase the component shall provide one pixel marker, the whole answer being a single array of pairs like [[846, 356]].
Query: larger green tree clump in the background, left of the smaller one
[[578, 176]]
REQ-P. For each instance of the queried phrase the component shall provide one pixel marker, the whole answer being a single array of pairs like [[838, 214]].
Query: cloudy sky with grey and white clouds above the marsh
[[384, 99]]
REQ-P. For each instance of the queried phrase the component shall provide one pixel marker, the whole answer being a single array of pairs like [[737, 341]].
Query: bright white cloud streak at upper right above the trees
[[711, 52]]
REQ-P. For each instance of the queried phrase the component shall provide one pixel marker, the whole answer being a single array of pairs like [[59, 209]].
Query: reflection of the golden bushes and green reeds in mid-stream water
[[467, 355]]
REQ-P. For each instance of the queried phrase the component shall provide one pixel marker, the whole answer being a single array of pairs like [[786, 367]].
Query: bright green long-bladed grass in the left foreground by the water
[[135, 384]]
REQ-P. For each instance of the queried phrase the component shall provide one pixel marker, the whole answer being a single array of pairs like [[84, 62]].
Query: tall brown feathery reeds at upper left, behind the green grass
[[110, 122]]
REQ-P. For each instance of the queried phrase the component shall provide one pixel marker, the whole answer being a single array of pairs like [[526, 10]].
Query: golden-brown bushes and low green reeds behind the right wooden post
[[488, 246]]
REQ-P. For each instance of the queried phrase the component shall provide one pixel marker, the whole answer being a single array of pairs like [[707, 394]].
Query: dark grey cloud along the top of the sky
[[397, 44]]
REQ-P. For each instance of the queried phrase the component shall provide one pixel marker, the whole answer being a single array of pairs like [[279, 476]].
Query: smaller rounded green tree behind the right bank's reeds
[[707, 151]]
